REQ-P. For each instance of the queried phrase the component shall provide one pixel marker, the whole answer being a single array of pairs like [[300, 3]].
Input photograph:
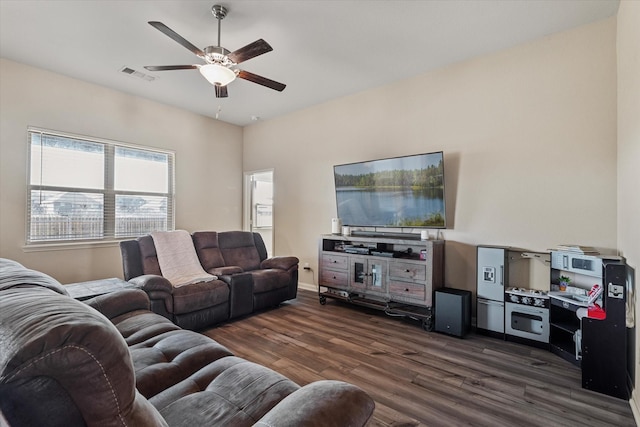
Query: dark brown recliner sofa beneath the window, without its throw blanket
[[247, 281]]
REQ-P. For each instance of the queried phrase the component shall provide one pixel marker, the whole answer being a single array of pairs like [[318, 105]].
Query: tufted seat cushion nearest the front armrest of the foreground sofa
[[229, 391]]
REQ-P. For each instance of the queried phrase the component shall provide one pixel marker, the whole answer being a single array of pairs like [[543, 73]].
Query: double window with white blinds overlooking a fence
[[90, 189]]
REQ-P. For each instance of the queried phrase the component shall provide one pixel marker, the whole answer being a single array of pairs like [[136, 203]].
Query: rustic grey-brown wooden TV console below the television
[[397, 275]]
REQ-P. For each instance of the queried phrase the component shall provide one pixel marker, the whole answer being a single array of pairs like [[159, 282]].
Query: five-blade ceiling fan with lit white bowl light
[[220, 65]]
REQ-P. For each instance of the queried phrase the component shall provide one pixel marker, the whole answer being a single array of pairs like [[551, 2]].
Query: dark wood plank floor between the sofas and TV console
[[418, 377]]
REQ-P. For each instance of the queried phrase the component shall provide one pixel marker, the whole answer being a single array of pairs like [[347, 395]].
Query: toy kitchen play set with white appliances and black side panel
[[579, 314]]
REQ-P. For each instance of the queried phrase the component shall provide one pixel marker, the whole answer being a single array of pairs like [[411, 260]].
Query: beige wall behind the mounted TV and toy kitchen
[[529, 136]]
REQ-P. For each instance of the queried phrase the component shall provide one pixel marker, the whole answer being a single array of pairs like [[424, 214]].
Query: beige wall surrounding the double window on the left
[[208, 191]]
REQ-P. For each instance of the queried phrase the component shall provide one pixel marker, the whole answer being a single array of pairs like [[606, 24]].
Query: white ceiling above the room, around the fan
[[321, 49]]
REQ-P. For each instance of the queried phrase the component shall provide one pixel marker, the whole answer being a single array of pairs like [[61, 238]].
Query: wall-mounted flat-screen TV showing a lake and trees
[[399, 192]]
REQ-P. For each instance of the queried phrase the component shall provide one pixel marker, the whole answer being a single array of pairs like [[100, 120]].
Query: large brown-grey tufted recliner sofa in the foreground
[[110, 361]]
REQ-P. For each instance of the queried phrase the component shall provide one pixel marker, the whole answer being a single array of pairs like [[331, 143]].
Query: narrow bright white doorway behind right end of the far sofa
[[258, 206]]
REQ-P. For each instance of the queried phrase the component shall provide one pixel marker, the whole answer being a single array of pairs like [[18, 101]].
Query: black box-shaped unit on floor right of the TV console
[[453, 311]]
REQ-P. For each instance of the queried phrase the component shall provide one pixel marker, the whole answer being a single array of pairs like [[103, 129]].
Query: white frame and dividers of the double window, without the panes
[[108, 191]]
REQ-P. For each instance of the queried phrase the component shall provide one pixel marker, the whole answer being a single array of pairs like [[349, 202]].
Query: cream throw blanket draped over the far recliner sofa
[[177, 257]]
